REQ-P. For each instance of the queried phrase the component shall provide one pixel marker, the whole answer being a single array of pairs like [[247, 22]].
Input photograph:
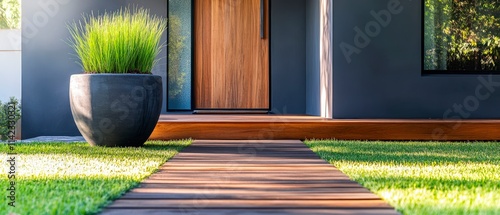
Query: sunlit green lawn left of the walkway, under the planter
[[74, 178]]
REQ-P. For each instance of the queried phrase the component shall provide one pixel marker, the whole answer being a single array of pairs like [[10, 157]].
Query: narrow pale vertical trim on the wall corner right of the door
[[326, 54]]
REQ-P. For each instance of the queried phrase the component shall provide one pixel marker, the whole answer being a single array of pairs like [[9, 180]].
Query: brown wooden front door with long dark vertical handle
[[231, 57]]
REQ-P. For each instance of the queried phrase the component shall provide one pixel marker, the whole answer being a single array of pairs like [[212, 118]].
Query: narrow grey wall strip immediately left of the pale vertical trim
[[312, 58]]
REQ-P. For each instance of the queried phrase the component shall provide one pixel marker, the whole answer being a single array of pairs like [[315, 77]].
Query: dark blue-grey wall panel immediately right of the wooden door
[[288, 56]]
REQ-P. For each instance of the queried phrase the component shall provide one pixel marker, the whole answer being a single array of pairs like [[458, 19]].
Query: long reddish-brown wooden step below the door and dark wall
[[307, 127]]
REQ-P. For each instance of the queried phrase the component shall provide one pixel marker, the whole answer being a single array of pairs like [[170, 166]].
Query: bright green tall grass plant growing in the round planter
[[125, 41]]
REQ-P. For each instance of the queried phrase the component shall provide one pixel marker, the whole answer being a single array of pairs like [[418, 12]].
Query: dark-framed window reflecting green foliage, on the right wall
[[461, 36]]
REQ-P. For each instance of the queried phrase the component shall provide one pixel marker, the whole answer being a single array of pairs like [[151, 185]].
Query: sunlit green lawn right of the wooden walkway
[[422, 177]]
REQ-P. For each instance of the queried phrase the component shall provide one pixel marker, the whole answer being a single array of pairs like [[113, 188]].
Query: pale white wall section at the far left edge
[[10, 59]]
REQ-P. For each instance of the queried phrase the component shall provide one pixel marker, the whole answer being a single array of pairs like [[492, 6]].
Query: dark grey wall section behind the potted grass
[[48, 65]]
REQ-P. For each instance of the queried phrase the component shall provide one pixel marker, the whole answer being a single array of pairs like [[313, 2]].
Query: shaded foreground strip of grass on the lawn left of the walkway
[[68, 195]]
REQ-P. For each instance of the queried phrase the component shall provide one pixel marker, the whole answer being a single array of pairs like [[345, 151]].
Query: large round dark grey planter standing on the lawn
[[116, 109]]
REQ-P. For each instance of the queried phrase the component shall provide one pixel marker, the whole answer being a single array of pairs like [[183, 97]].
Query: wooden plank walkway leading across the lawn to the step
[[248, 177]]
